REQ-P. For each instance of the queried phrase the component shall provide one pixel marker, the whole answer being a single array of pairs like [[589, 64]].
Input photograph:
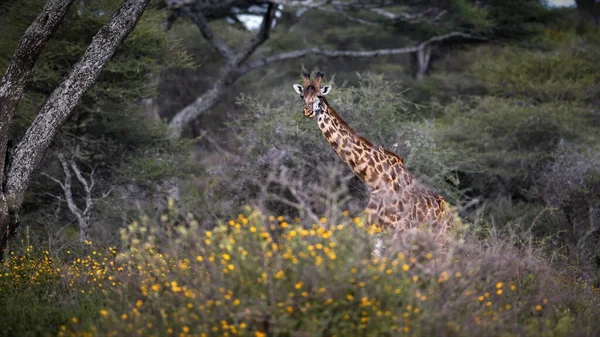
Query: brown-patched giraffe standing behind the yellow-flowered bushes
[[397, 200]]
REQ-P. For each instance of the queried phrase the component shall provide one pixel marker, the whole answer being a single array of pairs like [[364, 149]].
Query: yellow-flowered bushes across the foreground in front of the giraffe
[[260, 275]]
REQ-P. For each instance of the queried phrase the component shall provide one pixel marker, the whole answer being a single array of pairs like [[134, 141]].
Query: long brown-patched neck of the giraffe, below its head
[[375, 166]]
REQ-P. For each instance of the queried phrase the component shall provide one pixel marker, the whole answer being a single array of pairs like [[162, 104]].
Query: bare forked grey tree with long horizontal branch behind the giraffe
[[237, 63]]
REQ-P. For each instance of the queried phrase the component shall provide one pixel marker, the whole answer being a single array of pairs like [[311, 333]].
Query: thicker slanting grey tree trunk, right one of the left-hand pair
[[31, 149]]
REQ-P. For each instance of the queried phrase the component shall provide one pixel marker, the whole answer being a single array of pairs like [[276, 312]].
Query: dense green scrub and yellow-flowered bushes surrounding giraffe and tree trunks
[[507, 130]]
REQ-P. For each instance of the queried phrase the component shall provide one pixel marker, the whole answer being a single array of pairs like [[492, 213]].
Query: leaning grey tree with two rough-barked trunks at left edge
[[17, 167]]
